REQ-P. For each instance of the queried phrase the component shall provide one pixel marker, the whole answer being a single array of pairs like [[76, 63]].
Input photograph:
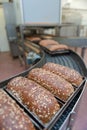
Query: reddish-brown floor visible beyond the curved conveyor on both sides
[[11, 66]]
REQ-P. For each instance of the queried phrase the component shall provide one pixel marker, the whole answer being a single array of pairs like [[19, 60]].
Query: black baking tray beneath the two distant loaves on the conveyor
[[62, 51]]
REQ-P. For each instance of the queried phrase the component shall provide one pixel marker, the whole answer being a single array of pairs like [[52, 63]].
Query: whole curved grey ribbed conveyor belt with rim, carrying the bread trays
[[71, 60]]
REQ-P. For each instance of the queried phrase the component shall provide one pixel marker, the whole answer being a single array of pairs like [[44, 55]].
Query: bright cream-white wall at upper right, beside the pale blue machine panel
[[75, 11]]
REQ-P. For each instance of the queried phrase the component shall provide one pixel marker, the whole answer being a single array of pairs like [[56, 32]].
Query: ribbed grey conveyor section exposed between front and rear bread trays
[[71, 60]]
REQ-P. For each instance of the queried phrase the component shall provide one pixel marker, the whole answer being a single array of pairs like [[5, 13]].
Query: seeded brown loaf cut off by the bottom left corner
[[11, 115]]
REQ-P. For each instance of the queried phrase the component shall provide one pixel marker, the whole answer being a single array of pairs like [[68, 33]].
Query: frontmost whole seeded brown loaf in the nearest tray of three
[[40, 101]]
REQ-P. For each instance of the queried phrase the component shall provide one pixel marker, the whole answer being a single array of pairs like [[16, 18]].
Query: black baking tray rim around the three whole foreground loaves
[[55, 118]]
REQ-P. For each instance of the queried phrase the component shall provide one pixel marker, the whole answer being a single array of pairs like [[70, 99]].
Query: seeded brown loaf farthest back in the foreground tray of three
[[67, 73]]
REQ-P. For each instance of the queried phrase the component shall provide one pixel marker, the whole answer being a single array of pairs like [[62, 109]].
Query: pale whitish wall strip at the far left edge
[[4, 46]]
